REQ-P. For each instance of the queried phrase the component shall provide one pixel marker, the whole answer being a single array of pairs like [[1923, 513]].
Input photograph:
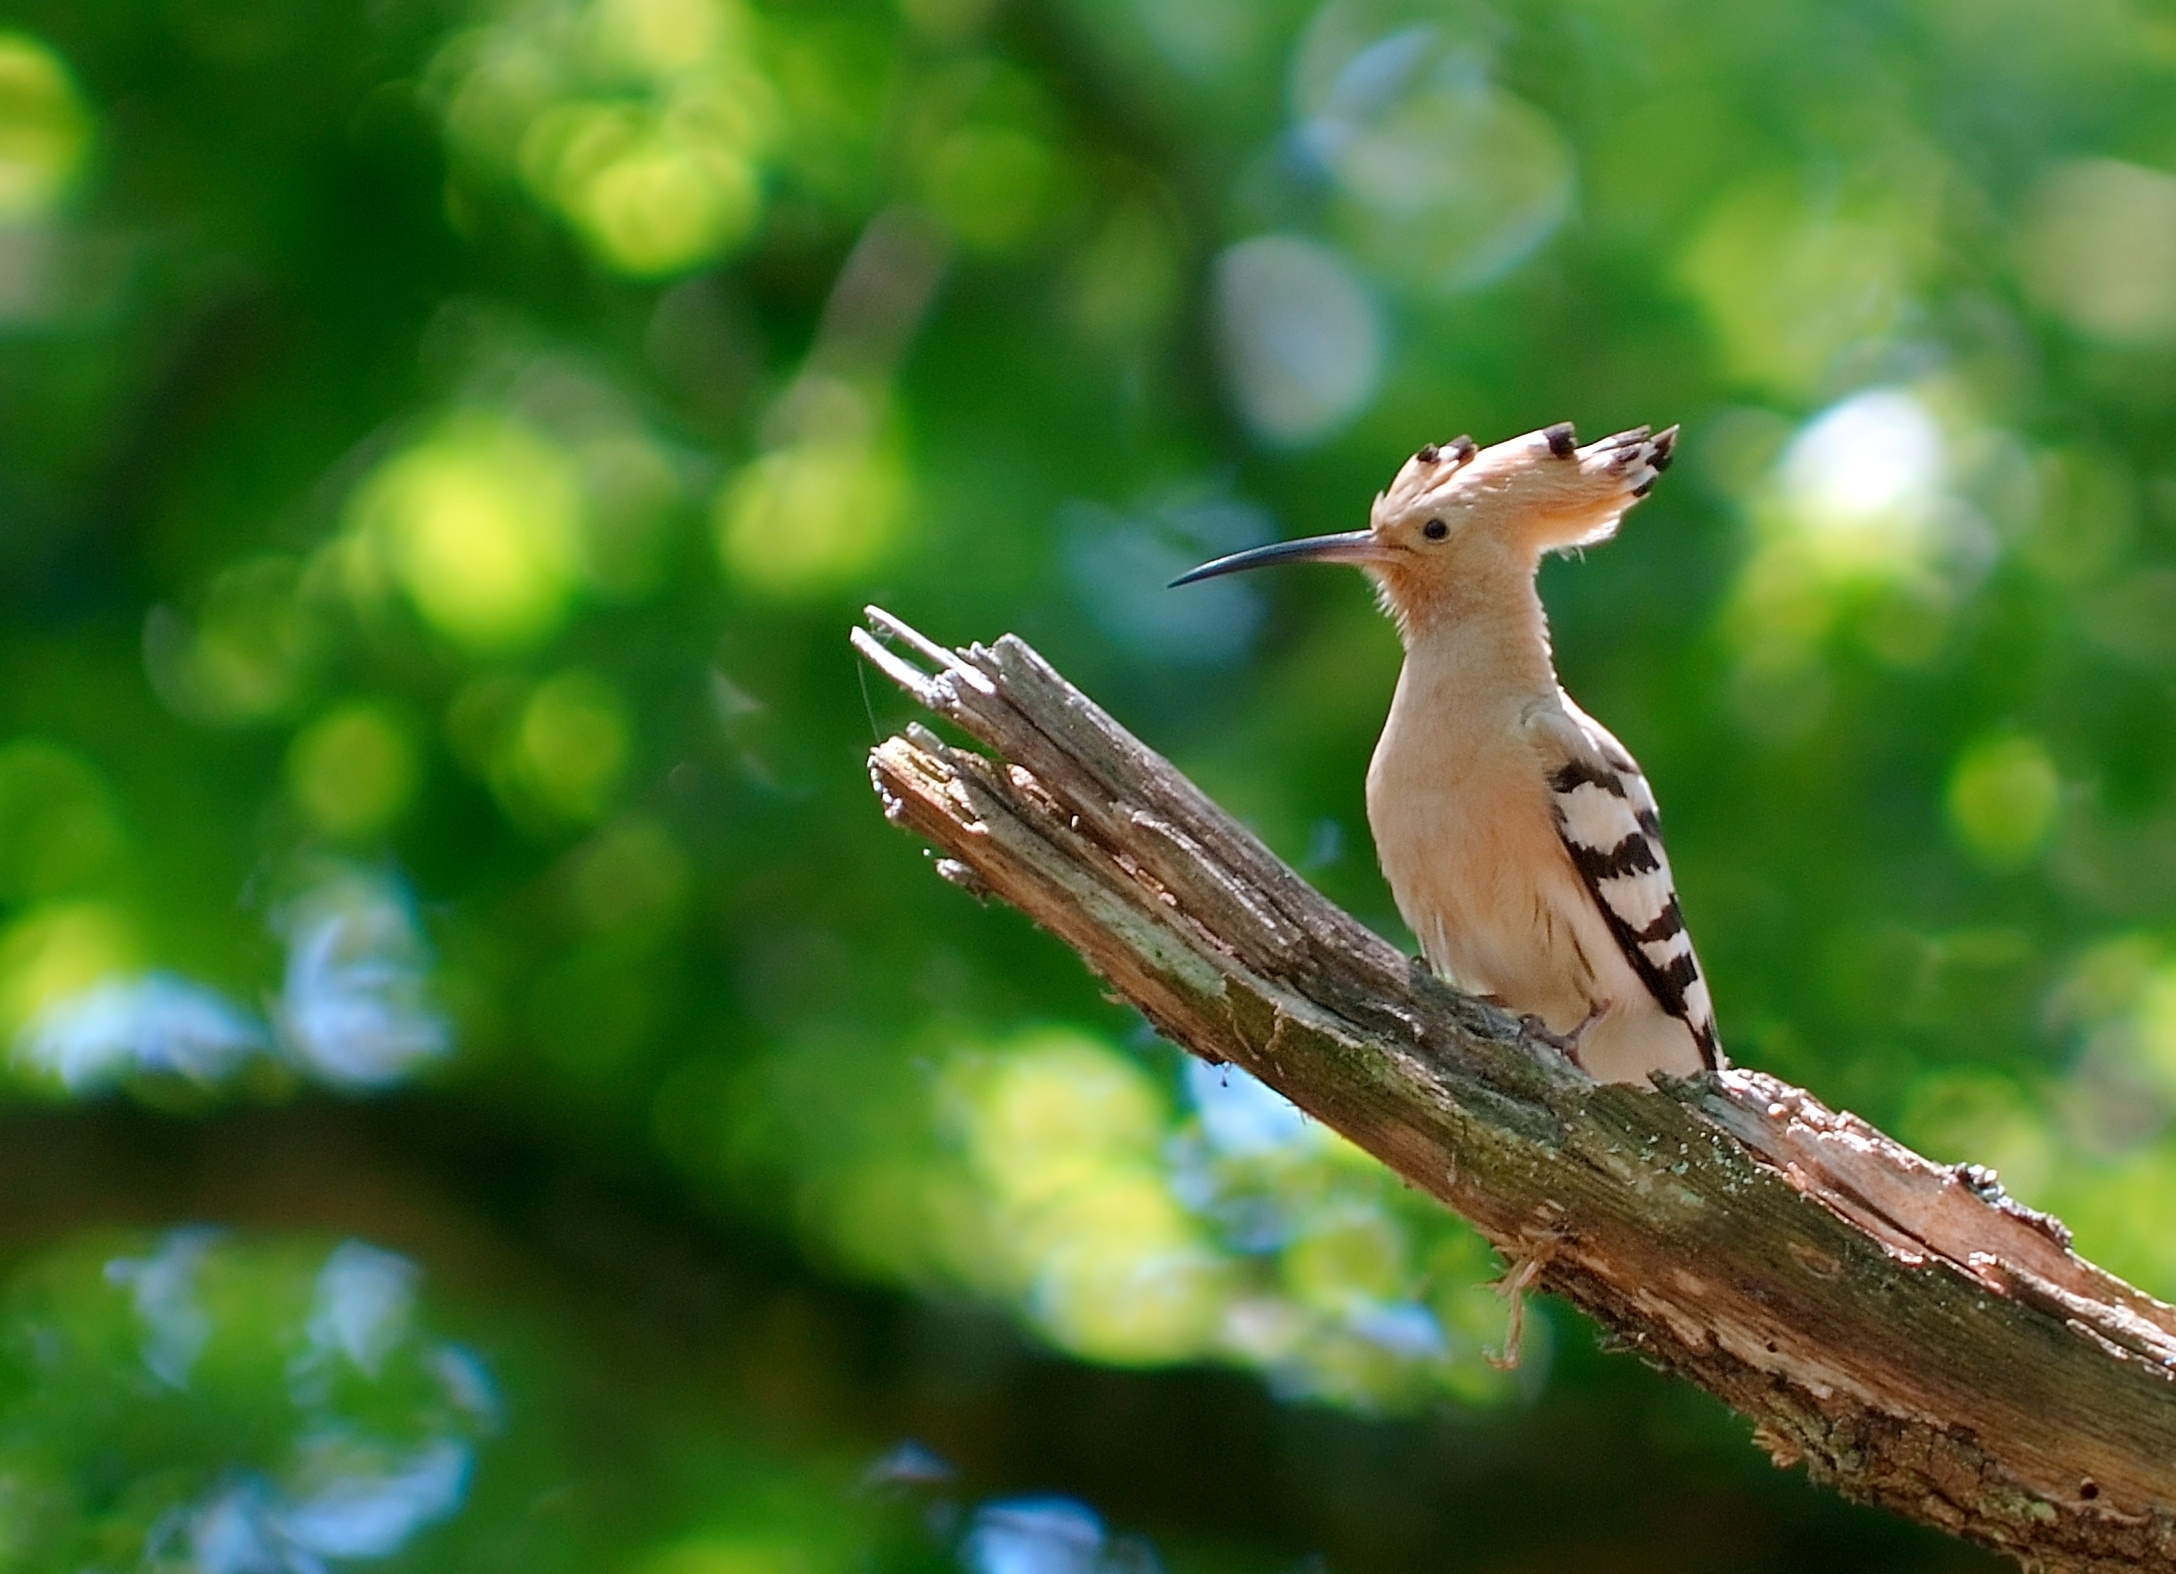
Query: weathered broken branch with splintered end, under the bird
[[1901, 1327]]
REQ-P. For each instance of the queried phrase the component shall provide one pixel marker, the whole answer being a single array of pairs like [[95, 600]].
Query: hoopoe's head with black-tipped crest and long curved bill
[[1459, 521]]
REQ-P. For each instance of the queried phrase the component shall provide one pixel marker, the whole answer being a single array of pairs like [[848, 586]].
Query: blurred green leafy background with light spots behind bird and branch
[[484, 1087]]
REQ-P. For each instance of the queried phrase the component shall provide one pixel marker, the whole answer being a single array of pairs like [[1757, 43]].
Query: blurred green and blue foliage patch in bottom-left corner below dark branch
[[203, 1427]]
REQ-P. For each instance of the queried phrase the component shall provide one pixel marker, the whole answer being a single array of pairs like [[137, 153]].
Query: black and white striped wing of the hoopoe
[[1609, 822]]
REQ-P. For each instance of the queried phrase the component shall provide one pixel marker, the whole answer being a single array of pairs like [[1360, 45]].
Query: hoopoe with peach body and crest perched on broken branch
[[1520, 839]]
